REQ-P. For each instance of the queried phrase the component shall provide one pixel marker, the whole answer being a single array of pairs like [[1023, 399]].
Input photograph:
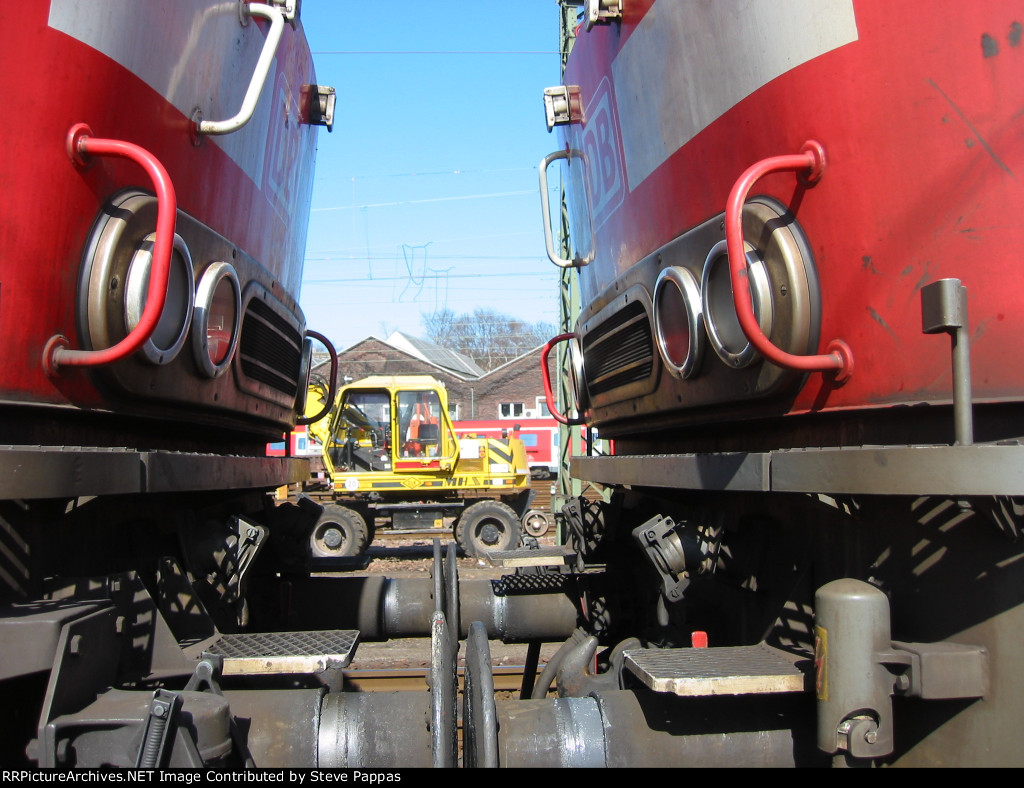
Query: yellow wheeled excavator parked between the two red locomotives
[[395, 461]]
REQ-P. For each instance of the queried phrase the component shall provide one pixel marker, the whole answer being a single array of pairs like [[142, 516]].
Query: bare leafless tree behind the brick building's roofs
[[490, 338]]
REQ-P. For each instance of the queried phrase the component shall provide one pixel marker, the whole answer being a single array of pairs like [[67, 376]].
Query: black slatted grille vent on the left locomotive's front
[[271, 348]]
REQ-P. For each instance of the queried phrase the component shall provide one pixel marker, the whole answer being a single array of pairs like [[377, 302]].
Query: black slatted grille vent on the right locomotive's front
[[620, 352]]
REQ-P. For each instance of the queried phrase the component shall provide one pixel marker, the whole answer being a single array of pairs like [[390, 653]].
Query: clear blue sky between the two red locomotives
[[426, 190]]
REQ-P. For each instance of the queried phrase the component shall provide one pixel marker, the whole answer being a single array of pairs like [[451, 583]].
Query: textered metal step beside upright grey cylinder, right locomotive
[[732, 671]]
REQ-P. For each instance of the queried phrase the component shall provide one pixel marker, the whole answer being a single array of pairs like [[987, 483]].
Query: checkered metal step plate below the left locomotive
[[286, 652]]
